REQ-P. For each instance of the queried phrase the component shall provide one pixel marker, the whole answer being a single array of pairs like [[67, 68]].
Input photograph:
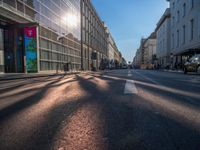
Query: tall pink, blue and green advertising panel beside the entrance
[[30, 44]]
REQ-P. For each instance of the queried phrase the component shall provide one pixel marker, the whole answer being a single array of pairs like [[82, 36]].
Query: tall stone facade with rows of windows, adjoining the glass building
[[94, 37]]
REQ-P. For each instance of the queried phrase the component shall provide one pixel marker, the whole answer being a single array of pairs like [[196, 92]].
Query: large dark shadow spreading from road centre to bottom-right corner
[[131, 127]]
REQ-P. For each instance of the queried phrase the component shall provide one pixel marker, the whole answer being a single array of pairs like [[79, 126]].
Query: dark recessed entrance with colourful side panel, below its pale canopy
[[19, 50]]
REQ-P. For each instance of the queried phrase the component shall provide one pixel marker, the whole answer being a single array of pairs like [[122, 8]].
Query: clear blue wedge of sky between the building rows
[[130, 20]]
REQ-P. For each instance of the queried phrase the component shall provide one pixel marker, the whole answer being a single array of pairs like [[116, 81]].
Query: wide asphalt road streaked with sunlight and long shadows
[[112, 110]]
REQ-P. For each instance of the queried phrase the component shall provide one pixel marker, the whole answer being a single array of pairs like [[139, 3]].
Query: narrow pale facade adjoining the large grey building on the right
[[163, 34]]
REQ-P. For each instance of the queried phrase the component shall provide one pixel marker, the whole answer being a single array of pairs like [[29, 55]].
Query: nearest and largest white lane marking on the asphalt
[[130, 87]]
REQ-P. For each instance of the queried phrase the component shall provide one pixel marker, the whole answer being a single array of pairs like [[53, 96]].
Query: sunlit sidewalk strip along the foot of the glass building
[[14, 76]]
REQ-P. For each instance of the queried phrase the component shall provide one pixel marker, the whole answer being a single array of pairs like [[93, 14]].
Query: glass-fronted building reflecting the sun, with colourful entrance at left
[[57, 29]]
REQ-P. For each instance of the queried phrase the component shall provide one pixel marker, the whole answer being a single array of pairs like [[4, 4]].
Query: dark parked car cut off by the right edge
[[193, 65]]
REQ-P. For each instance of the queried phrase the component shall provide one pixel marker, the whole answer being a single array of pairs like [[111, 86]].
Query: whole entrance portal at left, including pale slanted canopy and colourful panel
[[18, 44]]
